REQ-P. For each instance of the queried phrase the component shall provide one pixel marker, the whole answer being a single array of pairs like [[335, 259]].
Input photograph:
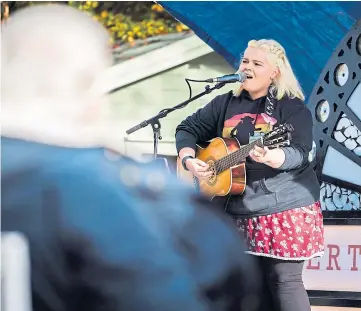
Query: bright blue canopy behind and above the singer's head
[[309, 31]]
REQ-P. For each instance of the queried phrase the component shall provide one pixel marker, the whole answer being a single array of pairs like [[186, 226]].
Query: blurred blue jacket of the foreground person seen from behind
[[109, 235]]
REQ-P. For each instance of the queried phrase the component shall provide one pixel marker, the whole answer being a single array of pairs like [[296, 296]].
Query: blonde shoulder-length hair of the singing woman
[[286, 82]]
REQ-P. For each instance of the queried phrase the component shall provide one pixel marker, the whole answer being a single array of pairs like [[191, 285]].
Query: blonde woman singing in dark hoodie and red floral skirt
[[279, 213]]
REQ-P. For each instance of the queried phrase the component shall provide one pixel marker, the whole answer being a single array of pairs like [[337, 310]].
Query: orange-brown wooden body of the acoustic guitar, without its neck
[[230, 181]]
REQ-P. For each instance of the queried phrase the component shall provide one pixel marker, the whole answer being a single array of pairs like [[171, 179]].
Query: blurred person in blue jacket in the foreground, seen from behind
[[103, 234]]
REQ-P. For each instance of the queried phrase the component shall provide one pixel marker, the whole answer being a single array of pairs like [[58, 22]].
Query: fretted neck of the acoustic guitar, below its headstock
[[237, 157]]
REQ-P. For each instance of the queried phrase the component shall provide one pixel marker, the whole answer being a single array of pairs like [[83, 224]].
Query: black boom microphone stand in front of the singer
[[155, 123]]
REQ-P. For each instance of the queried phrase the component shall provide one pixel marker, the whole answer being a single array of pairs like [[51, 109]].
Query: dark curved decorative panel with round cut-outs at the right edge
[[336, 108]]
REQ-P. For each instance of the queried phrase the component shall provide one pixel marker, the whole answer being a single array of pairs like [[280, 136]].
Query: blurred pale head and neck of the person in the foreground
[[53, 62]]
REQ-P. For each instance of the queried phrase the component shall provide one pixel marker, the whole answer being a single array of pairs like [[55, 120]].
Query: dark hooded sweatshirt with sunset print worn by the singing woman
[[268, 190]]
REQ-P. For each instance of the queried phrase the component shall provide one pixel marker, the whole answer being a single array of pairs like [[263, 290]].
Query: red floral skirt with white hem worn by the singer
[[296, 234]]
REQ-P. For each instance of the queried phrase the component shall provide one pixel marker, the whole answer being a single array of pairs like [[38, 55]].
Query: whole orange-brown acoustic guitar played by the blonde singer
[[226, 159]]
